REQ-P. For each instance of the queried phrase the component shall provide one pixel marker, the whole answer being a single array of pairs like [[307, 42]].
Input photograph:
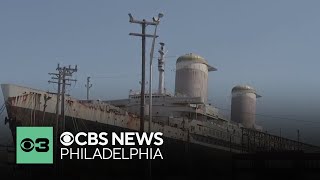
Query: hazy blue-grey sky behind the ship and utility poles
[[270, 45]]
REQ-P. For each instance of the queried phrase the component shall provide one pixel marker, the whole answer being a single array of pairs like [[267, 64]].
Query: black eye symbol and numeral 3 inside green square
[[40, 145]]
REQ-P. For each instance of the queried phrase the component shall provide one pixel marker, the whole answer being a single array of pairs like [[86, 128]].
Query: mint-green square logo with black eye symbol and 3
[[34, 145]]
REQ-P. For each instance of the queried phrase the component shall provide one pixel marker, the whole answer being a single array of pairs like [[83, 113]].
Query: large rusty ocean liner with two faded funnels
[[198, 138]]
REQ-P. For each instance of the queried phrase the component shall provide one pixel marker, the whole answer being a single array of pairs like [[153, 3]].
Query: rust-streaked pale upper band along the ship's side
[[25, 107]]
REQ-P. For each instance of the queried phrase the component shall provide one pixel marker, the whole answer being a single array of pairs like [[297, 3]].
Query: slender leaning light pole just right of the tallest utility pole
[[157, 20]]
